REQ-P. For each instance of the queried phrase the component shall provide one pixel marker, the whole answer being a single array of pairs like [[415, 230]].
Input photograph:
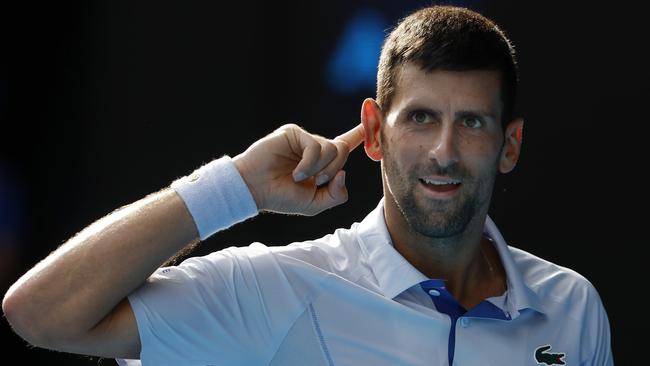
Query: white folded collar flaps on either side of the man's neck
[[396, 275]]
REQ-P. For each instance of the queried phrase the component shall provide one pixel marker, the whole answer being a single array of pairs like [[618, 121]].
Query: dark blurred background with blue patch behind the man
[[104, 102]]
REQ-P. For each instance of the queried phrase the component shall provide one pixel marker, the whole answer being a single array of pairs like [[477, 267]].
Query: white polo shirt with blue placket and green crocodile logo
[[350, 298]]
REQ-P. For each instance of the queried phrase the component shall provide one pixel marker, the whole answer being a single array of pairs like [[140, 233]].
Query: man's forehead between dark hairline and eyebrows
[[444, 90]]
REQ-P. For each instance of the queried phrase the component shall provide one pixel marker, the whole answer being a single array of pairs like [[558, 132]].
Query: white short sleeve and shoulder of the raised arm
[[231, 307]]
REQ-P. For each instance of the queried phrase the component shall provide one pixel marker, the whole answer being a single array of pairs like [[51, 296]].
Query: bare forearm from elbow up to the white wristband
[[73, 288]]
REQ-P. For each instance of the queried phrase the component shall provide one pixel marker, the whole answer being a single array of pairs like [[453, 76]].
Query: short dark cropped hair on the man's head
[[448, 38]]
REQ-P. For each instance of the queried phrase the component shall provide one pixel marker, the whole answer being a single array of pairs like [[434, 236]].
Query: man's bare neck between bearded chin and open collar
[[467, 262]]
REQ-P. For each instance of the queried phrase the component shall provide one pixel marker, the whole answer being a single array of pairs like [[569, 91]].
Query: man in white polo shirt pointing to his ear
[[425, 279]]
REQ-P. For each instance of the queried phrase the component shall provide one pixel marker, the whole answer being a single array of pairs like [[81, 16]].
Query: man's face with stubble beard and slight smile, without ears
[[441, 141]]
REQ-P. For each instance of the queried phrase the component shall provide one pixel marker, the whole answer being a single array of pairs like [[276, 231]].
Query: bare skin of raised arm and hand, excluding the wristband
[[74, 300]]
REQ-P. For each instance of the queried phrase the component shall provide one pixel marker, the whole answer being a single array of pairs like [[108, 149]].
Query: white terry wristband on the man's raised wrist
[[216, 196]]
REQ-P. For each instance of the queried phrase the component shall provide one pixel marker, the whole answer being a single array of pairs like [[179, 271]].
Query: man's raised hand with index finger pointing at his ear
[[293, 171]]
